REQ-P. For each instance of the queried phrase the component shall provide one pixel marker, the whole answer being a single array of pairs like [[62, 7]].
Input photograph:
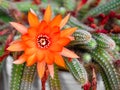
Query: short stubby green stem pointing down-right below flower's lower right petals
[[78, 71]]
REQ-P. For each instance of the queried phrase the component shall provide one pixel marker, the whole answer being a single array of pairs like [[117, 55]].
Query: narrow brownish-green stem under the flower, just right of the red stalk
[[55, 82]]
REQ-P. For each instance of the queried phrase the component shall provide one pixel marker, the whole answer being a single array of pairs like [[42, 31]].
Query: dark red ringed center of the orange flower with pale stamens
[[43, 41]]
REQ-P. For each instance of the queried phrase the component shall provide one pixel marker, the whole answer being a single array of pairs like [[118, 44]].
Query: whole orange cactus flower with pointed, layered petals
[[43, 41]]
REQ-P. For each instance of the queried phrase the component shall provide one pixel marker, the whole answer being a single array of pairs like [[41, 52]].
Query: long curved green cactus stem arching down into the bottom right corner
[[104, 60]]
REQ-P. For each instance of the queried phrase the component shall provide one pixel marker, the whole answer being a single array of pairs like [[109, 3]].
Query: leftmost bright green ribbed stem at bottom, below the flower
[[16, 77]]
